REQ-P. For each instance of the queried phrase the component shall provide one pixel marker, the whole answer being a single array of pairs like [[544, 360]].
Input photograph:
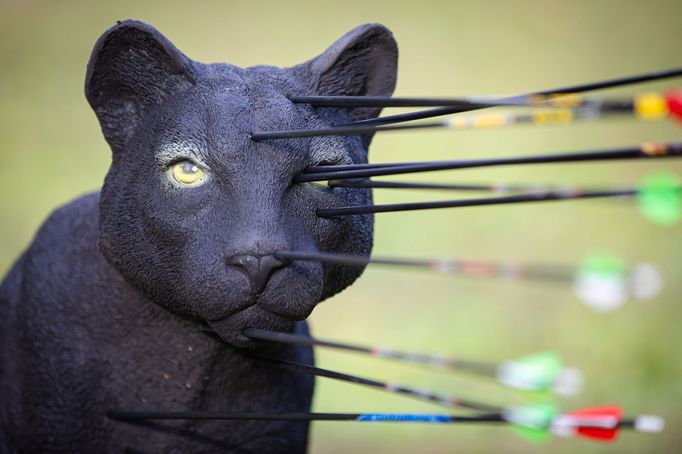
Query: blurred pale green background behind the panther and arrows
[[52, 151]]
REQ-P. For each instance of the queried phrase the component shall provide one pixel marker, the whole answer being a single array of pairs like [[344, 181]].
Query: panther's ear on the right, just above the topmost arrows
[[363, 62]]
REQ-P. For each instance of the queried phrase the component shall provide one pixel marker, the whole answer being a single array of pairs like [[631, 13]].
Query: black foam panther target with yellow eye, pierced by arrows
[[108, 307]]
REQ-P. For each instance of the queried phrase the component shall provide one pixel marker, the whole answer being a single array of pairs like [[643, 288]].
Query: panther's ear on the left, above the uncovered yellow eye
[[132, 68]]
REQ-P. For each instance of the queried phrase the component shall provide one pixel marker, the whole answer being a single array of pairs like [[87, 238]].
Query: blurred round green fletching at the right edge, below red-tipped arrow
[[659, 198]]
